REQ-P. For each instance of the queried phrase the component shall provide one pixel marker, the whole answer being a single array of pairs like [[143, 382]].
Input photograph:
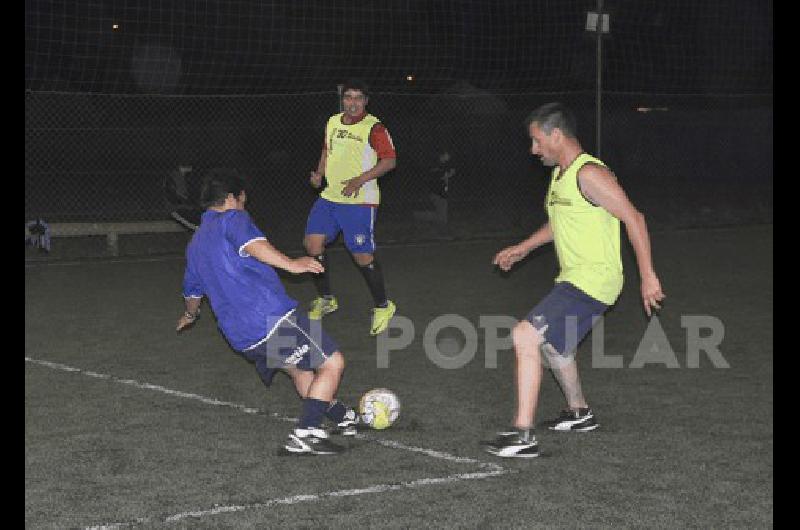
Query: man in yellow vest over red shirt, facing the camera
[[356, 151]]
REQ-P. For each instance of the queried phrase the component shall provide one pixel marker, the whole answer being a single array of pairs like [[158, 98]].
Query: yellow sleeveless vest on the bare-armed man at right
[[586, 237]]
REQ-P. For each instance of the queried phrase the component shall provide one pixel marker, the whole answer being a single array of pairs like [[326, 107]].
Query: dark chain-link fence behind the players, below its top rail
[[685, 161]]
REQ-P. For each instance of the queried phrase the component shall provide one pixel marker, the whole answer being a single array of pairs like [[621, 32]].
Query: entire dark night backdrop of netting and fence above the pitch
[[675, 96]]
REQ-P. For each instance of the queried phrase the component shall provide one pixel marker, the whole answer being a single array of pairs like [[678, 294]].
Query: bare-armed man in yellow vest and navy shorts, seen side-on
[[584, 205]]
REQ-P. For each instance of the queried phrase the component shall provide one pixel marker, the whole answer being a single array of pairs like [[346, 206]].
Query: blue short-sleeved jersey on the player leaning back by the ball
[[246, 295]]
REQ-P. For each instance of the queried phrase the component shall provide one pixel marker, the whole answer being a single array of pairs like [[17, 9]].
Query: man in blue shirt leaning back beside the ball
[[230, 261]]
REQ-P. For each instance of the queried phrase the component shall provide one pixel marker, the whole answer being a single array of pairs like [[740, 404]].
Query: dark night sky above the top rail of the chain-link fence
[[235, 46]]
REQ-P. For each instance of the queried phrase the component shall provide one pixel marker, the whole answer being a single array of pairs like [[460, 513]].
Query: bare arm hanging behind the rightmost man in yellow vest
[[601, 187]]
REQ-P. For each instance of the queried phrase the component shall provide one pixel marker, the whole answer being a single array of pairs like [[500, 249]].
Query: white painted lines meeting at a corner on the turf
[[491, 469]]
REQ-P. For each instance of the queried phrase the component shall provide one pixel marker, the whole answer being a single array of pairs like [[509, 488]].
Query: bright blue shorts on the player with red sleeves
[[356, 221]]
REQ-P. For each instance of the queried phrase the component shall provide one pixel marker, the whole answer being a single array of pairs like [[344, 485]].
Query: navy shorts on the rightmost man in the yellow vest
[[565, 316]]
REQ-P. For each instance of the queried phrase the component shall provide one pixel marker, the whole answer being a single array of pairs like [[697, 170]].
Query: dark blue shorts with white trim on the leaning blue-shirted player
[[297, 342]]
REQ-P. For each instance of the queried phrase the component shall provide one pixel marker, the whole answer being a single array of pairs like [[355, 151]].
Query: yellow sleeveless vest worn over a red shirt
[[349, 155]]
